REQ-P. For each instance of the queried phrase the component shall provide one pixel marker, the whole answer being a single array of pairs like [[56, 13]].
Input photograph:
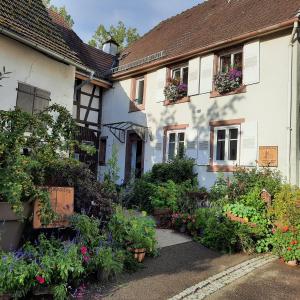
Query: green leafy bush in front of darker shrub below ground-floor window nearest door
[[165, 196]]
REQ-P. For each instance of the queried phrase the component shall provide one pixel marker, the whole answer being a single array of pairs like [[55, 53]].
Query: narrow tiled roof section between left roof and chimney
[[92, 57]]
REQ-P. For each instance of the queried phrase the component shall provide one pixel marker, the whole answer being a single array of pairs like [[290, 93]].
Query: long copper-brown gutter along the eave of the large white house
[[204, 50]]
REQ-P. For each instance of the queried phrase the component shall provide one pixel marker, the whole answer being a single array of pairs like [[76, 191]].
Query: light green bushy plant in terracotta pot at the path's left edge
[[134, 230]]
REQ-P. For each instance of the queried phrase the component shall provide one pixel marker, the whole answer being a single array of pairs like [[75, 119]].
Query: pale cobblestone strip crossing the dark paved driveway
[[220, 280]]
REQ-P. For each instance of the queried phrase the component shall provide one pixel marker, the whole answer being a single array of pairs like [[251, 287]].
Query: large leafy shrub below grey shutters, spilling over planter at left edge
[[48, 136]]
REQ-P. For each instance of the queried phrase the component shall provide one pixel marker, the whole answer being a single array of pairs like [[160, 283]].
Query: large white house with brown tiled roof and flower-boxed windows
[[254, 123]]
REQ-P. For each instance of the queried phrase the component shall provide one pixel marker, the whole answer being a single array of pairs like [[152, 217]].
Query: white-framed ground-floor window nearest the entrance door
[[175, 144]]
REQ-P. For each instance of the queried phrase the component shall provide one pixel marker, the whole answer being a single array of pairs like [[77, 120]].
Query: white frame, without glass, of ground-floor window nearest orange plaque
[[226, 161]]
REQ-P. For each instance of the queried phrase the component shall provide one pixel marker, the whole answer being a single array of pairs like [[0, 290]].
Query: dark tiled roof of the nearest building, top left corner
[[30, 20]]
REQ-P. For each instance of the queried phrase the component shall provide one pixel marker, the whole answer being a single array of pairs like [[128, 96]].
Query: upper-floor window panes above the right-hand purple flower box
[[233, 59]]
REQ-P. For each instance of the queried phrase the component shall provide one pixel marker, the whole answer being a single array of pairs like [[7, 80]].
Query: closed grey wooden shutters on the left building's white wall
[[32, 99]]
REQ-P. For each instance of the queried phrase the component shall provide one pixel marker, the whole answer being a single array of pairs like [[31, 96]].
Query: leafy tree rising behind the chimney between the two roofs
[[121, 34]]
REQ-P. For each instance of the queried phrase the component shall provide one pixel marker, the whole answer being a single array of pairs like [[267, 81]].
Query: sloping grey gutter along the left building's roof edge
[[45, 50]]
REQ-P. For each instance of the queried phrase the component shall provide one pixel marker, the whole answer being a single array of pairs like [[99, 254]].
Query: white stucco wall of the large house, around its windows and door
[[263, 106]]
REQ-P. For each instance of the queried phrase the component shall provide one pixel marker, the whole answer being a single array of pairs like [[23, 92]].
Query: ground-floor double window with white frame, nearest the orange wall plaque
[[226, 144]]
